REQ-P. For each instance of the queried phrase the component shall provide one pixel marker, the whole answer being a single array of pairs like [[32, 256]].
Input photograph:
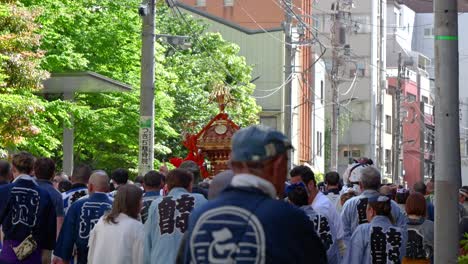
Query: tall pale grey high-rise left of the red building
[[363, 103]]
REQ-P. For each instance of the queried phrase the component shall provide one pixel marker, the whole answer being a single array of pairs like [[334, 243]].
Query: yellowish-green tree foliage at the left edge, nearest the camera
[[24, 114]]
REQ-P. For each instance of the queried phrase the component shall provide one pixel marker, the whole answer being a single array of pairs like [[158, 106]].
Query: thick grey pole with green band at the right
[[447, 145]]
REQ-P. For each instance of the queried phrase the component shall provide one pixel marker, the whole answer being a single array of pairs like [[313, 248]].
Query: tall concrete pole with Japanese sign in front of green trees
[[146, 139]]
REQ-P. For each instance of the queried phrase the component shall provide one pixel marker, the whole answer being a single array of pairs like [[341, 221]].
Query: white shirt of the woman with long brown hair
[[120, 243]]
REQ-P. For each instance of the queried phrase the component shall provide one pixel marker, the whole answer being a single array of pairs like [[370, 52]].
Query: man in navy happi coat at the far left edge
[[26, 209]]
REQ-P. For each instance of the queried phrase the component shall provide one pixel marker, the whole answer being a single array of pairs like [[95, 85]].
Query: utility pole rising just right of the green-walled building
[[288, 65]]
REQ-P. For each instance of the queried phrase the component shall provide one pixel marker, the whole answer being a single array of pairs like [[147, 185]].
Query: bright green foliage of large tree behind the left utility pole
[[105, 36]]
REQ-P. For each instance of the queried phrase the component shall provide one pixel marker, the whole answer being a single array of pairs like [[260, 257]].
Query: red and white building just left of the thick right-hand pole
[[417, 125]]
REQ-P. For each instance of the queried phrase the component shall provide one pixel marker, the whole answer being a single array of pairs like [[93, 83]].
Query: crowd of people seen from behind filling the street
[[253, 213]]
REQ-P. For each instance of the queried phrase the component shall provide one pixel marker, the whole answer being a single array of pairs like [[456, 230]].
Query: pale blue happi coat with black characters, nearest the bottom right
[[376, 242]]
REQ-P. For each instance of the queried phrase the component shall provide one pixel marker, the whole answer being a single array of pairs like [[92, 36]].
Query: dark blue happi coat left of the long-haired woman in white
[[80, 219]]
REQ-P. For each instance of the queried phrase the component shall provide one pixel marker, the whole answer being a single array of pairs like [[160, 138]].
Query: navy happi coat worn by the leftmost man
[[26, 208]]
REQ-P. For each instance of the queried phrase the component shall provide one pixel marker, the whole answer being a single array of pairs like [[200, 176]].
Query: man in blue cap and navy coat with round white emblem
[[246, 222]]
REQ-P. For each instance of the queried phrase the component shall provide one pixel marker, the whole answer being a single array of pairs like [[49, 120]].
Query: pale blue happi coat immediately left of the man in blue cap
[[166, 224]]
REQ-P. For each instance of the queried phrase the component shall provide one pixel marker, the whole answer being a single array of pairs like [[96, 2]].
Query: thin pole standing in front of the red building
[[396, 125]]
